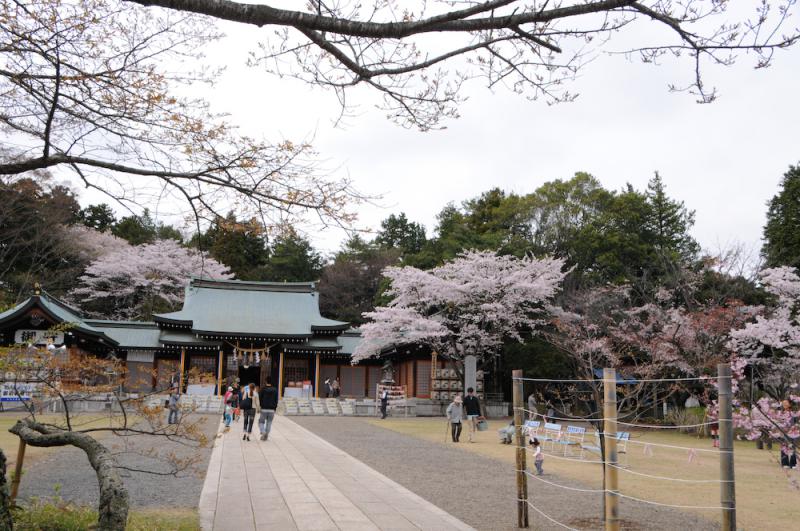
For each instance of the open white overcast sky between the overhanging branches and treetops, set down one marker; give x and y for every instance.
(724, 160)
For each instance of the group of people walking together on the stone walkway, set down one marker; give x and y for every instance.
(249, 401)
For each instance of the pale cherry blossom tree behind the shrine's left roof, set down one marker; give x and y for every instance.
(136, 281)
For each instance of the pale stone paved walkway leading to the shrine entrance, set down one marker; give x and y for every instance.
(297, 481)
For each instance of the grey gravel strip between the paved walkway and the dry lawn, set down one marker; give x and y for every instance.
(477, 489)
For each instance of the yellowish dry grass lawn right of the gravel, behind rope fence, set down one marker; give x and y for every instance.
(767, 497)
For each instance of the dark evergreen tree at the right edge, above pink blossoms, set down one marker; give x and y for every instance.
(782, 231)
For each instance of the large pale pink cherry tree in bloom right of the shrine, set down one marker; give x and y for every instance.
(470, 305)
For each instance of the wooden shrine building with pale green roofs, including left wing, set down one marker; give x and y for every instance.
(227, 331)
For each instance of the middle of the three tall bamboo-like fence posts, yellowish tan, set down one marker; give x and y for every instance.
(610, 431)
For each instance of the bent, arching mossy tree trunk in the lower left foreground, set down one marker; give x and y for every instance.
(113, 506)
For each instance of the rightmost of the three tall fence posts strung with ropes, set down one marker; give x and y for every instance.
(727, 485)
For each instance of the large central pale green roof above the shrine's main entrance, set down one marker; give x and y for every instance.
(277, 309)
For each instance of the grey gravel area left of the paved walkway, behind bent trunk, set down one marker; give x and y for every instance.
(68, 473)
